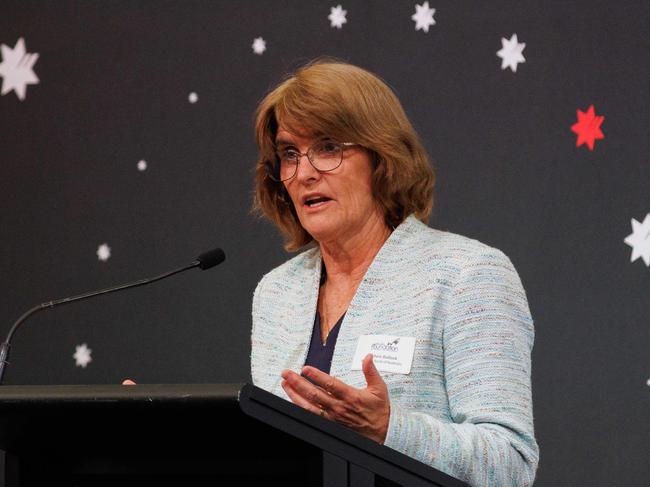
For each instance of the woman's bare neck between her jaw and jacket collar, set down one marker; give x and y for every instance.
(348, 259)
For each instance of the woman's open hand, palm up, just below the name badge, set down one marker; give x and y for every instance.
(364, 410)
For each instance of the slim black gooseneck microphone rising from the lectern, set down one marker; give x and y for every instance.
(204, 261)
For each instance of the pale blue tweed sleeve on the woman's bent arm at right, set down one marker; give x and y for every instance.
(487, 341)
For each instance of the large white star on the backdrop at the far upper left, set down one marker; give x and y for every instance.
(16, 69)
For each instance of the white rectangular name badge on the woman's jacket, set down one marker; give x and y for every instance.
(389, 353)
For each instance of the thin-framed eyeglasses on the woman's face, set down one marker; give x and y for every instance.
(324, 156)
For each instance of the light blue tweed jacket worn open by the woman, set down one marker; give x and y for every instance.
(466, 406)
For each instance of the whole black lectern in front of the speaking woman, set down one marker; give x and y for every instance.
(186, 434)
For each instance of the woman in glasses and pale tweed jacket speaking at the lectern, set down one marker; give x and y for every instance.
(416, 338)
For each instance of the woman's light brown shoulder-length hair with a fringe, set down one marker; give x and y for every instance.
(349, 104)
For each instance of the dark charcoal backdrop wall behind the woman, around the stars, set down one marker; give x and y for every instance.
(115, 78)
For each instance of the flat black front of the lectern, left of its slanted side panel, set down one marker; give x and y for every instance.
(158, 435)
